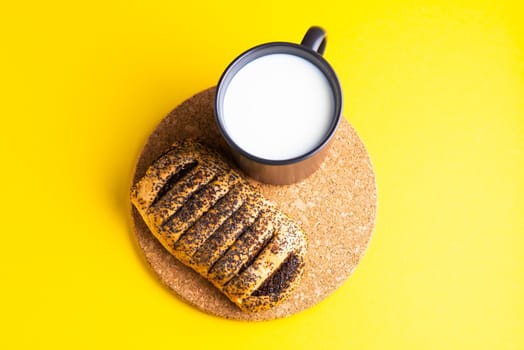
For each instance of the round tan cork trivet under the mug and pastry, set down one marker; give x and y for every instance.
(336, 207)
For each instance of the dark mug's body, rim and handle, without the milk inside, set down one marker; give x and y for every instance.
(283, 171)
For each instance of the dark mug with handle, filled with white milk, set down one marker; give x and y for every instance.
(278, 106)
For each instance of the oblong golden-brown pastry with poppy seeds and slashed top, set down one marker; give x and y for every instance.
(206, 215)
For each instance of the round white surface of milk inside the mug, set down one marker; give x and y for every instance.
(278, 107)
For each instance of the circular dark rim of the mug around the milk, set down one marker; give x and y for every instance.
(306, 53)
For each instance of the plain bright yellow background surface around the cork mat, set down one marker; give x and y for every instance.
(435, 89)
